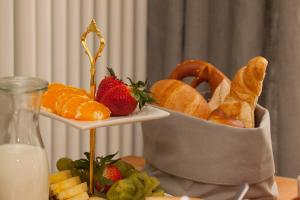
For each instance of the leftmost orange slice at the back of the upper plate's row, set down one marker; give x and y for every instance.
(49, 98)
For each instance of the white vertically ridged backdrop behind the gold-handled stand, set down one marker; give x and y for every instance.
(42, 38)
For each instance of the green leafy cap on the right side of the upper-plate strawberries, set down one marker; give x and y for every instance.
(140, 92)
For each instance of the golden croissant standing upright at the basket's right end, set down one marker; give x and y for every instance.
(245, 89)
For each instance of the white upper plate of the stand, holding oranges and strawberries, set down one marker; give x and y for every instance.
(148, 112)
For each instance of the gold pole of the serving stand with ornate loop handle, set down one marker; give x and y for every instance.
(92, 28)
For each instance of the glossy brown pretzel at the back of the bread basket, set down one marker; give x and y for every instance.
(201, 70)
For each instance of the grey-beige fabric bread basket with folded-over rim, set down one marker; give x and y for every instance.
(198, 158)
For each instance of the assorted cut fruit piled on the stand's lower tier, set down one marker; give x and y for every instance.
(114, 179)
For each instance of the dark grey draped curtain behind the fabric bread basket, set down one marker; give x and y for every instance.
(228, 33)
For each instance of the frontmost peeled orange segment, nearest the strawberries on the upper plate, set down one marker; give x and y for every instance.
(91, 111)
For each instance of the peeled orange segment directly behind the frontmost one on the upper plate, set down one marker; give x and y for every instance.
(71, 105)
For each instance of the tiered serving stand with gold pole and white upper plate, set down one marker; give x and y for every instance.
(147, 113)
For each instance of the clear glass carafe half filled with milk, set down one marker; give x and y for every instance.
(23, 160)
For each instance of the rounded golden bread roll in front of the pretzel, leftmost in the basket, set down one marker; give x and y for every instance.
(179, 96)
